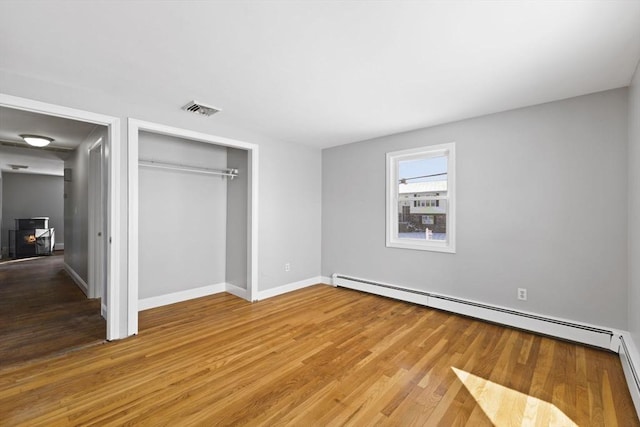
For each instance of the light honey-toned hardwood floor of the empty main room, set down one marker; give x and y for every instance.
(319, 356)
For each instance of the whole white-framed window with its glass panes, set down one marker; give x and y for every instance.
(421, 198)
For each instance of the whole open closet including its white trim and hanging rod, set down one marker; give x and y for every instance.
(193, 216)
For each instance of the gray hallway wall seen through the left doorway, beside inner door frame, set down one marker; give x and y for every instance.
(76, 206)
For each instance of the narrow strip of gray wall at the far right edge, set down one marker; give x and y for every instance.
(634, 208)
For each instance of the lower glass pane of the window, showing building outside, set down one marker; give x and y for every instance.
(423, 223)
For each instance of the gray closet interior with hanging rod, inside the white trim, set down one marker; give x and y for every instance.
(192, 221)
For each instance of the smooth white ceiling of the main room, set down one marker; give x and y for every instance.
(325, 73)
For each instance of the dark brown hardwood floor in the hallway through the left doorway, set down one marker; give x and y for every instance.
(42, 312)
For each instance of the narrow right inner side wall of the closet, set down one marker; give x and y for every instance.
(237, 216)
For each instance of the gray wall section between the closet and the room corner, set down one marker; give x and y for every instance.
(290, 210)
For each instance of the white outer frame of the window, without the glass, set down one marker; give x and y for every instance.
(393, 159)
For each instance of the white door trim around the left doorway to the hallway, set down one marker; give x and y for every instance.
(113, 167)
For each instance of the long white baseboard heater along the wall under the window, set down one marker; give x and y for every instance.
(559, 328)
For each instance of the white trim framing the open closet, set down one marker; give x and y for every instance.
(134, 128)
